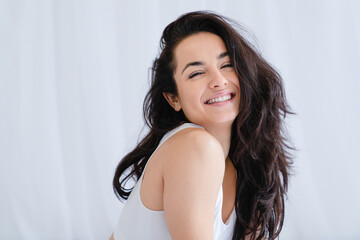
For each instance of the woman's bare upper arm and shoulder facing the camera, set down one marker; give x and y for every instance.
(193, 172)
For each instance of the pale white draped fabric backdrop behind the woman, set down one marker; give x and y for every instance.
(73, 75)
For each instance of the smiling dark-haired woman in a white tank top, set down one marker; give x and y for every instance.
(214, 164)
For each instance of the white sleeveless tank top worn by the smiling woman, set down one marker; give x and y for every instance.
(138, 222)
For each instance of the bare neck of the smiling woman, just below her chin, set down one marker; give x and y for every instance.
(222, 132)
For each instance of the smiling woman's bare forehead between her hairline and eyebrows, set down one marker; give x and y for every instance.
(198, 47)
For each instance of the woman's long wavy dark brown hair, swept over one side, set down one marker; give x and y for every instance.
(259, 146)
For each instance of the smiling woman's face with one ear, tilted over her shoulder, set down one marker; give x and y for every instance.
(207, 84)
